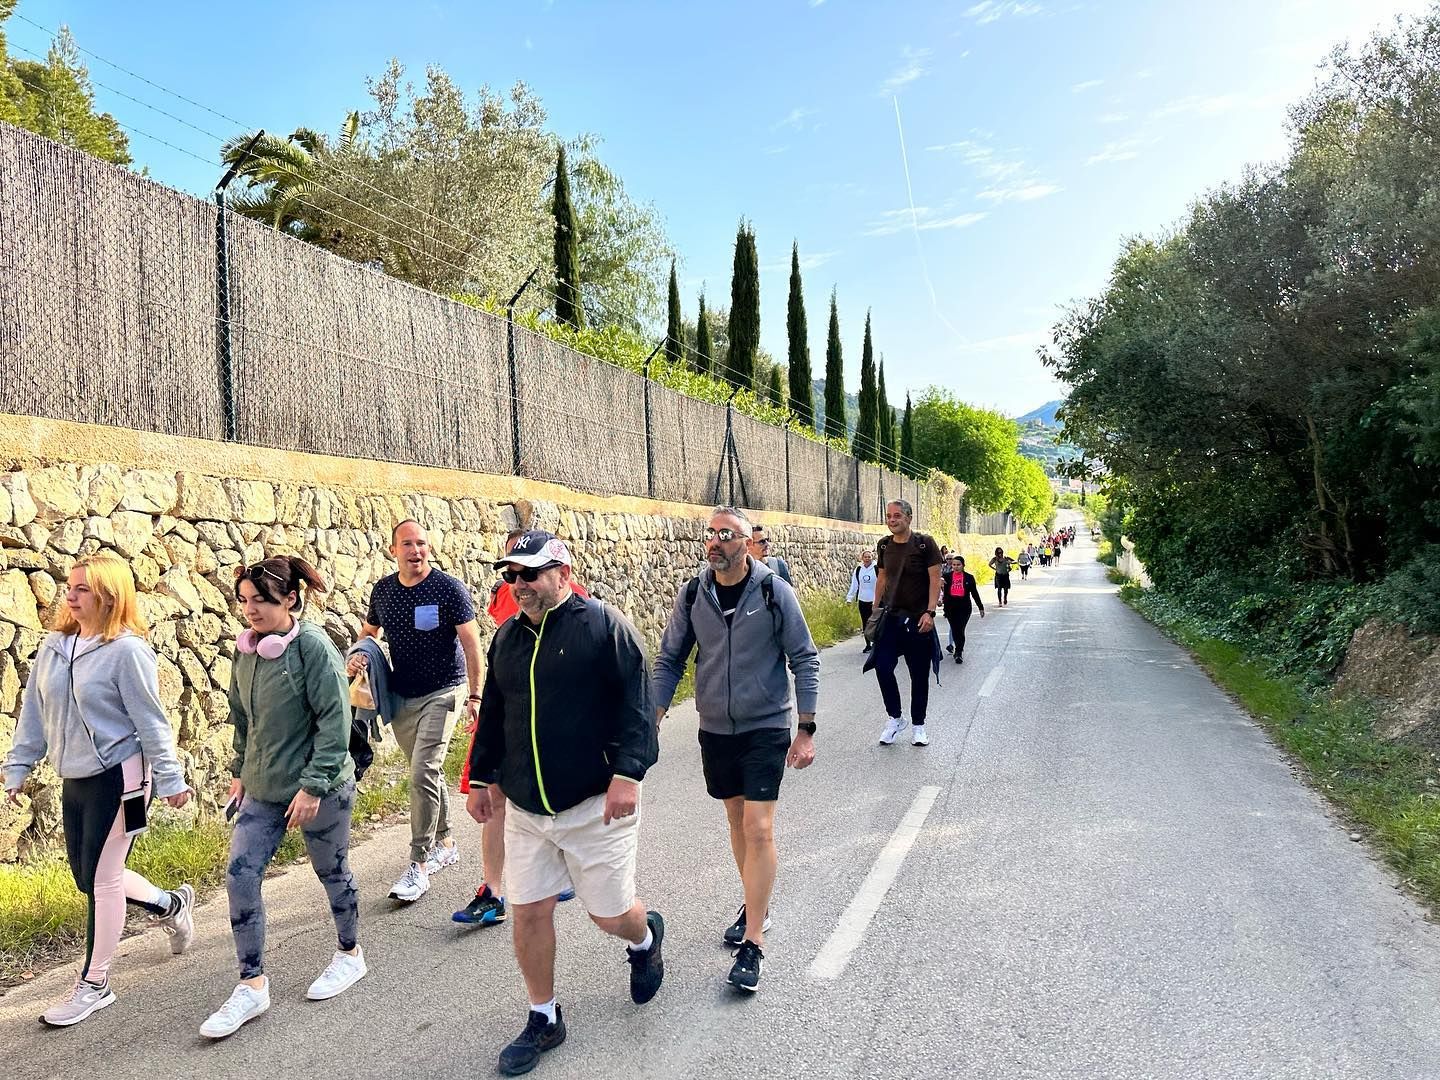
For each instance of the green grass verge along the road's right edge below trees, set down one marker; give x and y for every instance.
(1389, 788)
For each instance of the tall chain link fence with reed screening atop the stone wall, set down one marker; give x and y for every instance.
(125, 303)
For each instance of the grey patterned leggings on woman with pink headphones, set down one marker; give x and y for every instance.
(258, 832)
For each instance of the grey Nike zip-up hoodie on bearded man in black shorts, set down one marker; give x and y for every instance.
(741, 679)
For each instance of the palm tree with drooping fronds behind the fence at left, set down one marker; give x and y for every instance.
(284, 179)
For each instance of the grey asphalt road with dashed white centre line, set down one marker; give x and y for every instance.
(1118, 876)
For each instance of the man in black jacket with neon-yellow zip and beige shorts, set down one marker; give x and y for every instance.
(567, 731)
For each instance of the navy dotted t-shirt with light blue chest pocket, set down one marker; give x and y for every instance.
(420, 623)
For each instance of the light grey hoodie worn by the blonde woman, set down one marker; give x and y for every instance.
(110, 714)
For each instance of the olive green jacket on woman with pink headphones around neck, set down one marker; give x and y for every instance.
(292, 719)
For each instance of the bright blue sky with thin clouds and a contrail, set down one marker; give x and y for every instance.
(1039, 133)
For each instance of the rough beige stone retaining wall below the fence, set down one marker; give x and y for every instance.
(184, 532)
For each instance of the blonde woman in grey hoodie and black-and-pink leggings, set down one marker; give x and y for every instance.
(93, 705)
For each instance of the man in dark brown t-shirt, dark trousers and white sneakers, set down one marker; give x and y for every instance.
(909, 588)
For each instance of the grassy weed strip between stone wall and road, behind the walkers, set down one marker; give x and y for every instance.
(42, 917)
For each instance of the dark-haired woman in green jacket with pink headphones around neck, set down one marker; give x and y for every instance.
(292, 712)
